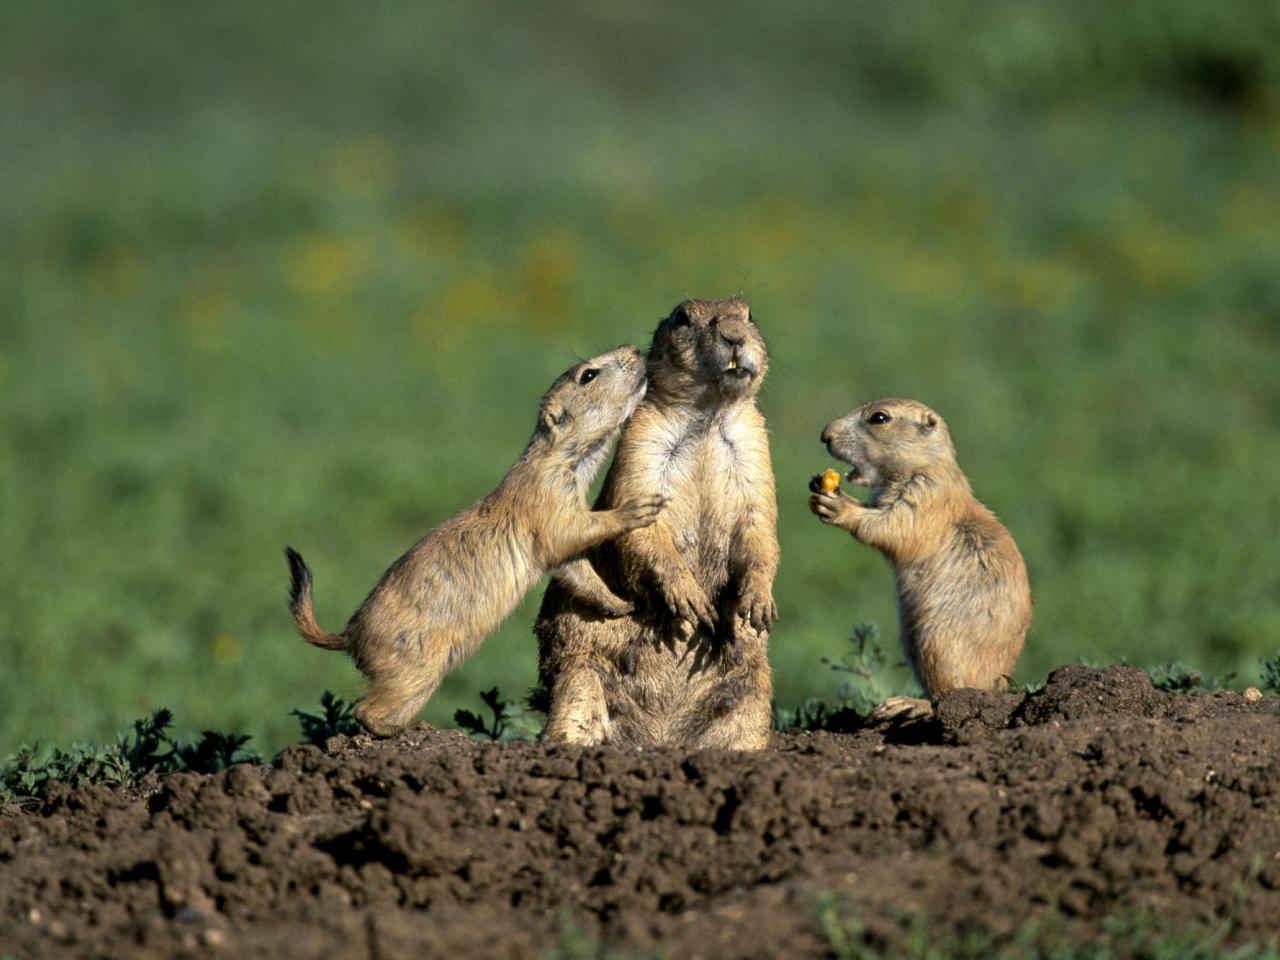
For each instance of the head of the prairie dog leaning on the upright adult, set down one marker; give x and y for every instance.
(588, 405)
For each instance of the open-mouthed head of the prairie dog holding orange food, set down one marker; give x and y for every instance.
(890, 440)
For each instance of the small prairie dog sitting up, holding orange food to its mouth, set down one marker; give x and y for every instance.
(964, 600)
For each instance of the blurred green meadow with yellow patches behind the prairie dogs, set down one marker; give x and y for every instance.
(299, 273)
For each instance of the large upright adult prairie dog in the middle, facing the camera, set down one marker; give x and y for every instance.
(689, 665)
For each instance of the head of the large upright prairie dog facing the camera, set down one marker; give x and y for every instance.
(708, 351)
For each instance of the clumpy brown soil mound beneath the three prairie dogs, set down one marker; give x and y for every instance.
(1091, 796)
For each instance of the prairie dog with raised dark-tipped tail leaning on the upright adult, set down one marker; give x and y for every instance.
(438, 602)
